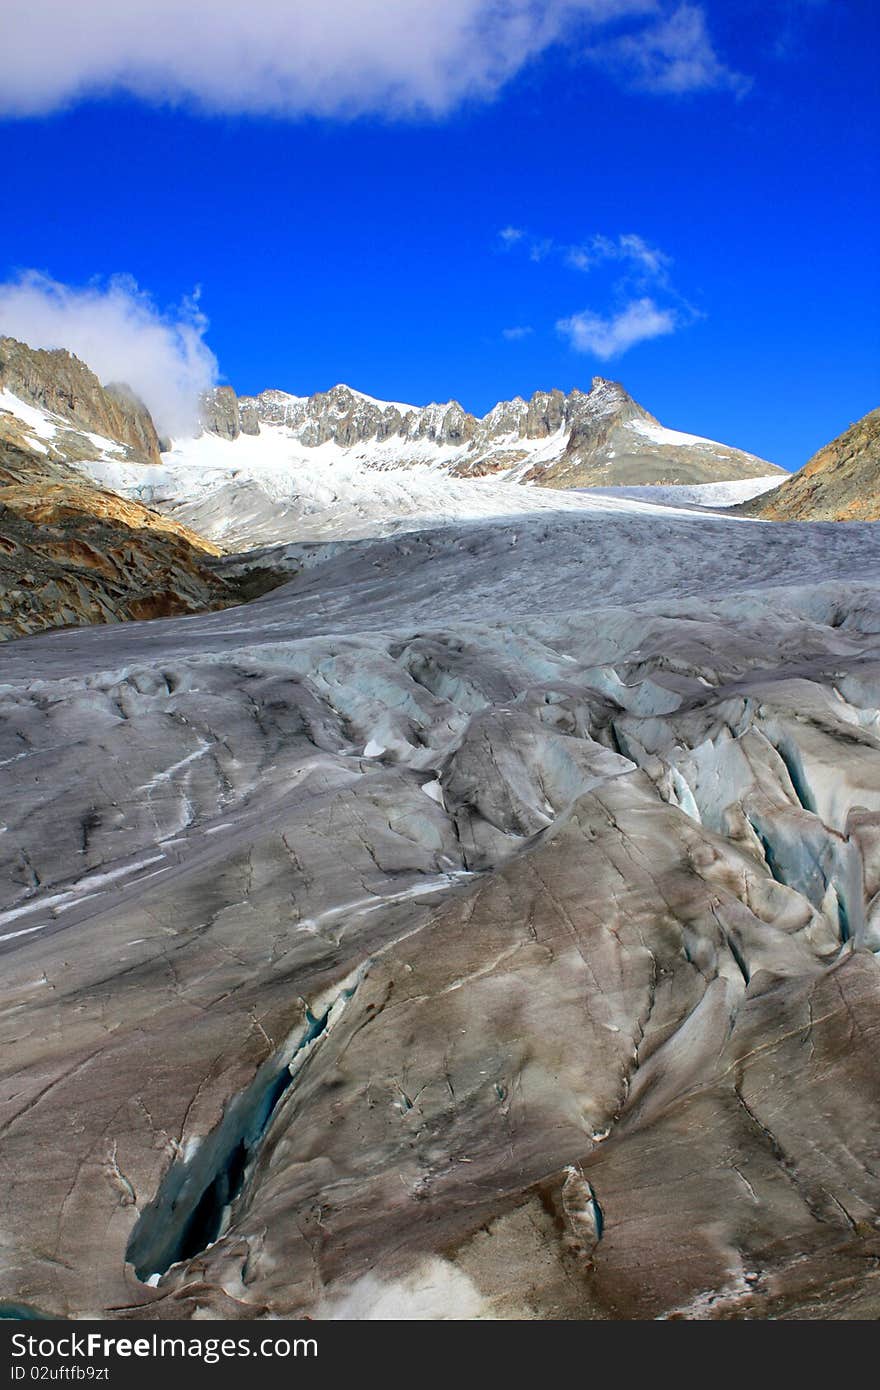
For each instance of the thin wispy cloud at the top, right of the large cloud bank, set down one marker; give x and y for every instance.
(672, 56)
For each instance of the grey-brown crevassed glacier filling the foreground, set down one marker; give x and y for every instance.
(567, 819)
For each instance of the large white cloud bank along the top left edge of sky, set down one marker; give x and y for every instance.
(291, 58)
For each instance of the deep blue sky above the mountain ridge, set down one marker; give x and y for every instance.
(487, 233)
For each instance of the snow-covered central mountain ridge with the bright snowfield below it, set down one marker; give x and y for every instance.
(344, 466)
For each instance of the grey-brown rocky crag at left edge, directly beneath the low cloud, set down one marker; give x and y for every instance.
(63, 386)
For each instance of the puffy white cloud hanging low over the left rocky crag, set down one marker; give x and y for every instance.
(117, 330)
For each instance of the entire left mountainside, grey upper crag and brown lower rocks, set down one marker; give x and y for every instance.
(73, 553)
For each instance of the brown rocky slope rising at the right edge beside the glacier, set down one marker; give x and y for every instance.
(842, 483)
